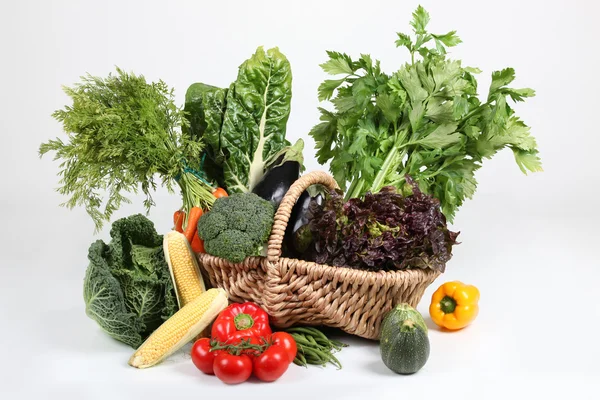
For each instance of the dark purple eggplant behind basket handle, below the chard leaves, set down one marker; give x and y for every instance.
(276, 182)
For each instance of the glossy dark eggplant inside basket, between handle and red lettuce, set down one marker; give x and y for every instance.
(298, 237)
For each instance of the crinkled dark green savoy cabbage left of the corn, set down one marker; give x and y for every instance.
(127, 288)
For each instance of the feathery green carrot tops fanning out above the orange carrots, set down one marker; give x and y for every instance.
(124, 134)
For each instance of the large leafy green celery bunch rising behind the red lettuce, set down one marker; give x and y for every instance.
(425, 120)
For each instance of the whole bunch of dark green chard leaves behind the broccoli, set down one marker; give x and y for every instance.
(245, 125)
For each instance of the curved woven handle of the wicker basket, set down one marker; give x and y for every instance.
(282, 215)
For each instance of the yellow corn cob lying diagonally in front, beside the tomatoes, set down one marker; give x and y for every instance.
(180, 329)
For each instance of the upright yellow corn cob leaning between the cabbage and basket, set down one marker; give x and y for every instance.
(183, 265)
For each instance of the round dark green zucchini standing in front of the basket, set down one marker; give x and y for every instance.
(404, 344)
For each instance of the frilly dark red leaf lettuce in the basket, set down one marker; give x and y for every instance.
(383, 231)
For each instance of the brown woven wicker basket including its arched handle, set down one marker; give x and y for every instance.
(296, 292)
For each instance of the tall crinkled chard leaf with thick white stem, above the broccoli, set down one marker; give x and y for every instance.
(254, 126)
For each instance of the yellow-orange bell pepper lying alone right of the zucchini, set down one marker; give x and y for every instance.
(454, 305)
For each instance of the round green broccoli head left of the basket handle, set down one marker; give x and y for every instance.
(237, 226)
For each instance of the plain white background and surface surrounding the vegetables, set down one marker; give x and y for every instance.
(529, 243)
